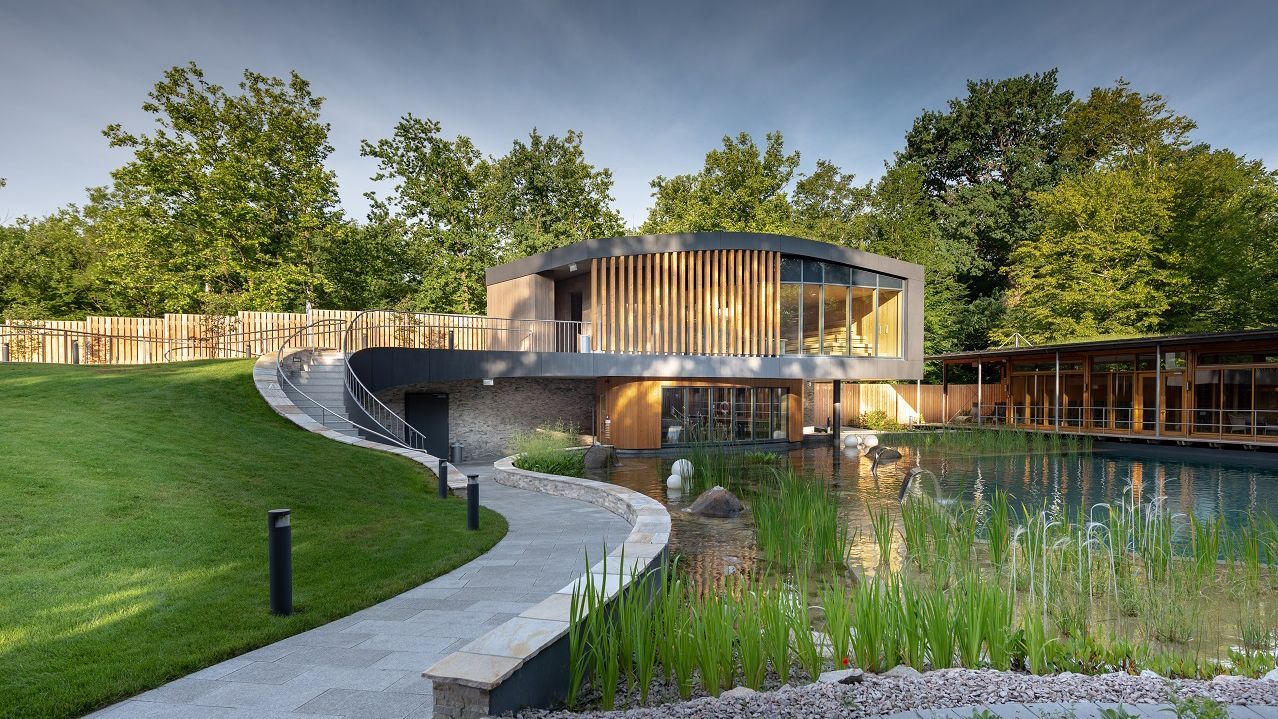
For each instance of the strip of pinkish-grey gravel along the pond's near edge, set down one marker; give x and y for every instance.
(880, 695)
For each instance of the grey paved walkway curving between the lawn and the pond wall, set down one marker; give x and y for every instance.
(370, 665)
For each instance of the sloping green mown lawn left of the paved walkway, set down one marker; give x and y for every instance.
(134, 528)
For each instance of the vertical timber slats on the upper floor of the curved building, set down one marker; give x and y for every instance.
(700, 303)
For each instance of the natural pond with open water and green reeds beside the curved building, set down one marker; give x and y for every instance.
(1008, 551)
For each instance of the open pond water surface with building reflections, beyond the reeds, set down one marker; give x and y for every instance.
(1065, 485)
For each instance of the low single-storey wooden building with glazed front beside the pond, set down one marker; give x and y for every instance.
(1217, 389)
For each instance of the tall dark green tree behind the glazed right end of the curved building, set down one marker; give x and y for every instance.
(983, 159)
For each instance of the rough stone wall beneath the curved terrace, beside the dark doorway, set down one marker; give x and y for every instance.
(486, 420)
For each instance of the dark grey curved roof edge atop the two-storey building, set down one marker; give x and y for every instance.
(587, 251)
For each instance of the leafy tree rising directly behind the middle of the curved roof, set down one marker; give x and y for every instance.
(739, 190)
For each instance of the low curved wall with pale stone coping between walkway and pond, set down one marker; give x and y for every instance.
(525, 662)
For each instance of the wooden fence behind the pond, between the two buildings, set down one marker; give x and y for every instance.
(904, 403)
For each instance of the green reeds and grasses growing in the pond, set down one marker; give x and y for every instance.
(1123, 586)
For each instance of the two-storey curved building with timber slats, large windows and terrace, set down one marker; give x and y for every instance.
(652, 342)
